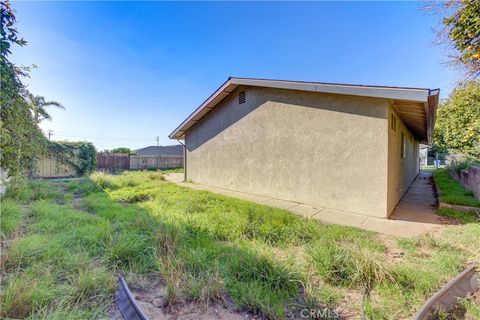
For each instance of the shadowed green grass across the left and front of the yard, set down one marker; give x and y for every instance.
(64, 264)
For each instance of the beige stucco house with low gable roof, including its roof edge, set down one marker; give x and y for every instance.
(350, 148)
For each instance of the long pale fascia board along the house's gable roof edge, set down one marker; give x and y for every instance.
(396, 93)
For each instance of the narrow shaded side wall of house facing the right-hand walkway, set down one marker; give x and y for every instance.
(401, 171)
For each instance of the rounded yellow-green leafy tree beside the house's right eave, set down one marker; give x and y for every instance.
(458, 121)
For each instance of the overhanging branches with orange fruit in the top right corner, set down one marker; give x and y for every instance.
(461, 31)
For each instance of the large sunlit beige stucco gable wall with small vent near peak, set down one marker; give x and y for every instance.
(323, 149)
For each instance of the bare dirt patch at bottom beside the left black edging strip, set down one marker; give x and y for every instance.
(151, 299)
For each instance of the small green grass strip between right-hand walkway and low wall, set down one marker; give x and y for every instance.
(453, 192)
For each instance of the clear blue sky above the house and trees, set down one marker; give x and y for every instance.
(130, 71)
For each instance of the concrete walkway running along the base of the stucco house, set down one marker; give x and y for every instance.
(412, 217)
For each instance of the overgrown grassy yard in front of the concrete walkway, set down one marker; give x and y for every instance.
(64, 242)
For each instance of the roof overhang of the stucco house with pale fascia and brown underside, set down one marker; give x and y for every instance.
(407, 96)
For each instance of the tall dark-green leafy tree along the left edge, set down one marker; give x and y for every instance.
(21, 139)
